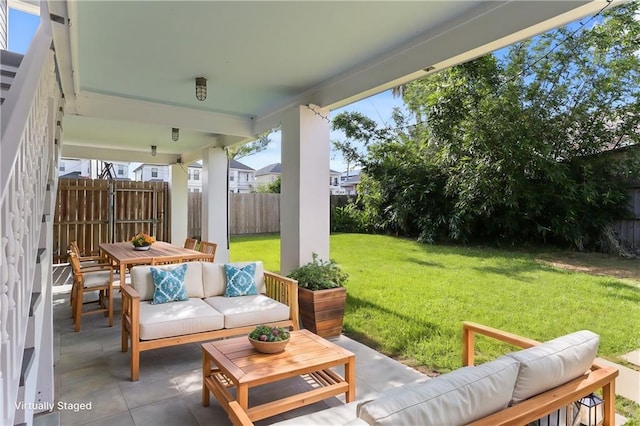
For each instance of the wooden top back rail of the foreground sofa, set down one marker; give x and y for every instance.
(552, 400)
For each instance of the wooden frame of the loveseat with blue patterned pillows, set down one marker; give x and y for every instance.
(278, 287)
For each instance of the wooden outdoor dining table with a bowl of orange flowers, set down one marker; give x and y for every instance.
(126, 256)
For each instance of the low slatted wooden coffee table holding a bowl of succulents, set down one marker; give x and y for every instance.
(234, 363)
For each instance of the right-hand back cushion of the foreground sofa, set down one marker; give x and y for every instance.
(553, 363)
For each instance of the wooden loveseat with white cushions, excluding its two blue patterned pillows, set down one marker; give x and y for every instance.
(210, 312)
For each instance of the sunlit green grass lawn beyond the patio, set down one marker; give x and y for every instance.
(408, 300)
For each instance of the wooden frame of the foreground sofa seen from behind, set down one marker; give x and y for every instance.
(599, 377)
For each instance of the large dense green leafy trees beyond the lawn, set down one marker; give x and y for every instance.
(509, 148)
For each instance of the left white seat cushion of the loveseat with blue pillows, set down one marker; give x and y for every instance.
(178, 318)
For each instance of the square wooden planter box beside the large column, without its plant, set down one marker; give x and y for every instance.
(322, 311)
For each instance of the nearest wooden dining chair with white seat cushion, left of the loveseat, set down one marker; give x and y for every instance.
(91, 279)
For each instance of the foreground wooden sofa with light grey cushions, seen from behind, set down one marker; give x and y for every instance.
(515, 389)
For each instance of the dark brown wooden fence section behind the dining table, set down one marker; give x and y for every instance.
(96, 211)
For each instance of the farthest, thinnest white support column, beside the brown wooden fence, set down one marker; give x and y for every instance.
(178, 188)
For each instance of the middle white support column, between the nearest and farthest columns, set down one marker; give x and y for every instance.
(215, 201)
